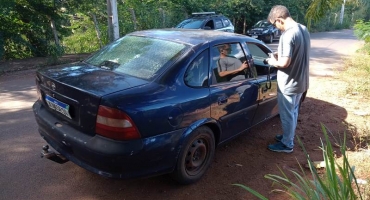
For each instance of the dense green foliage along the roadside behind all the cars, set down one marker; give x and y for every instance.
(30, 28)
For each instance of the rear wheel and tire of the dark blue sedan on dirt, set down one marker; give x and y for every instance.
(195, 157)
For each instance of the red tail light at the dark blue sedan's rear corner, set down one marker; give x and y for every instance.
(115, 124)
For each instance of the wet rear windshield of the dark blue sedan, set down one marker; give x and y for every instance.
(137, 56)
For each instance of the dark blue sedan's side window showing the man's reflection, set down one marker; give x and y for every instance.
(234, 59)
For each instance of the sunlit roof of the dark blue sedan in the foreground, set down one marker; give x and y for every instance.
(191, 36)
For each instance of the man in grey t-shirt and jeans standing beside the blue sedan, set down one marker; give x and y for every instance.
(292, 62)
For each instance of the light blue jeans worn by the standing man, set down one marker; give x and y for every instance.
(288, 110)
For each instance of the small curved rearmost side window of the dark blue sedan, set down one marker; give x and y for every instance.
(197, 73)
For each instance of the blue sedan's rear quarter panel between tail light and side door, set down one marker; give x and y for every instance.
(166, 104)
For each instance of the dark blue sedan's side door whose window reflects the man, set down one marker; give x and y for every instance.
(233, 101)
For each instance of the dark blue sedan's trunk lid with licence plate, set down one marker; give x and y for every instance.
(73, 92)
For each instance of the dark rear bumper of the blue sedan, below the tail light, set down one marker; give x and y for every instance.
(110, 158)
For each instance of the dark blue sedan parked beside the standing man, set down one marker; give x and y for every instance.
(153, 103)
